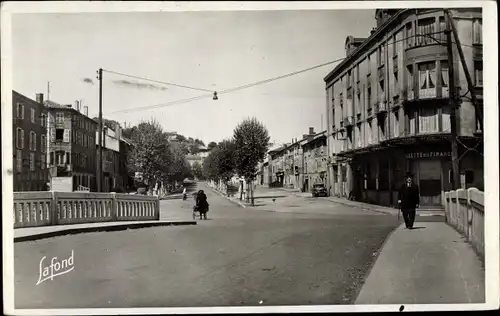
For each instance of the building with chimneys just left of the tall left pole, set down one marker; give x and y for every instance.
(71, 146)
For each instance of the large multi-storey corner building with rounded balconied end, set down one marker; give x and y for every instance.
(388, 107)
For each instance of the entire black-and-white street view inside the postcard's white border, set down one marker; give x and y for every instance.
(244, 160)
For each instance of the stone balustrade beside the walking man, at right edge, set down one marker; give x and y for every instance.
(464, 211)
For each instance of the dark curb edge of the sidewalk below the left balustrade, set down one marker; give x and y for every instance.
(92, 229)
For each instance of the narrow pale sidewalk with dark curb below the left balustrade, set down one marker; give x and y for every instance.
(34, 233)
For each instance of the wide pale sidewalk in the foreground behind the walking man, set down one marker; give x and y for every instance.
(431, 264)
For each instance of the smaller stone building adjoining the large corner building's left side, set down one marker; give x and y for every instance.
(314, 161)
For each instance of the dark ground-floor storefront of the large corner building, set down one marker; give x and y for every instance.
(378, 174)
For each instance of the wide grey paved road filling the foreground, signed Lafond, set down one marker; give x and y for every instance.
(237, 257)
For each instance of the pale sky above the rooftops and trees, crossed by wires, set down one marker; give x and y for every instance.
(209, 50)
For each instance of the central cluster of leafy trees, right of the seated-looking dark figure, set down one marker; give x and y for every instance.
(239, 155)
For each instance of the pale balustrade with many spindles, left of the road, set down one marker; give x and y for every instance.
(65, 208)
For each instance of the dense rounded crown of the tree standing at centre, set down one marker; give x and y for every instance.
(251, 140)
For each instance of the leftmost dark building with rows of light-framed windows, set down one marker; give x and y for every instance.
(29, 143)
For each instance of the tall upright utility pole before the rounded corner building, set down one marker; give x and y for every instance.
(452, 99)
